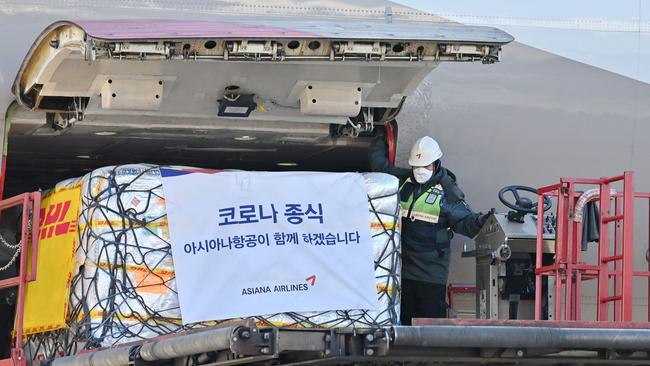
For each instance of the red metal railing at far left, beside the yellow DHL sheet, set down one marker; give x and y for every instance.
(31, 203)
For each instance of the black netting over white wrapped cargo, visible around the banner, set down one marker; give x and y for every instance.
(123, 288)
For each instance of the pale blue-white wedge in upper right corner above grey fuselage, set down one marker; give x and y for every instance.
(598, 32)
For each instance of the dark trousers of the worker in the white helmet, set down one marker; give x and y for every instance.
(422, 300)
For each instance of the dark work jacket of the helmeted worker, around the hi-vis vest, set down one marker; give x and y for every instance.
(425, 245)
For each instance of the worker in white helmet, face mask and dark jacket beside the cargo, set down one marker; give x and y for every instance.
(433, 208)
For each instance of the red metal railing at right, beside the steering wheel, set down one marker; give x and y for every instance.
(614, 261)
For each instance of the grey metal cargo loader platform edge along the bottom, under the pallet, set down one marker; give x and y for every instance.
(434, 341)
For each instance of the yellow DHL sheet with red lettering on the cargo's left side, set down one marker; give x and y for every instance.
(46, 299)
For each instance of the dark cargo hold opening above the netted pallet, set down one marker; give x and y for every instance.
(39, 154)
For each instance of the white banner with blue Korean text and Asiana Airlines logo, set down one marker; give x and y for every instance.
(257, 243)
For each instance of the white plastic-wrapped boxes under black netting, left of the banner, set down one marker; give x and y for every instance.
(127, 288)
